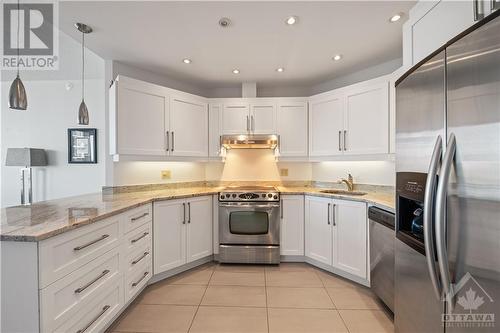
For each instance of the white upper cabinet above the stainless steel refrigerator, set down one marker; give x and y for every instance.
(420, 35)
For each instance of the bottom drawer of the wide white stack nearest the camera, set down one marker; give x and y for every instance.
(97, 314)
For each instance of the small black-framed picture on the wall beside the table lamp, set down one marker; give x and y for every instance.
(82, 145)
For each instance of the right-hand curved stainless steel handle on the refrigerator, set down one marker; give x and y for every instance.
(440, 217)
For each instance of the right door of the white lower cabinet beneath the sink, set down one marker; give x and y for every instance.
(349, 237)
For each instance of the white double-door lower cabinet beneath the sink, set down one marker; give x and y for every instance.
(336, 234)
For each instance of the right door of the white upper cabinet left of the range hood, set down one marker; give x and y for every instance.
(189, 127)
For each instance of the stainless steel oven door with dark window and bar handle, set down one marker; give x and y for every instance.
(249, 223)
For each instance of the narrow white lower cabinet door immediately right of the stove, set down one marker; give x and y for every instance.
(292, 225)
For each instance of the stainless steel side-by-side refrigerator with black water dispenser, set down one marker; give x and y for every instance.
(447, 266)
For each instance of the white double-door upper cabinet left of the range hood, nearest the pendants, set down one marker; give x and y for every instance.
(147, 119)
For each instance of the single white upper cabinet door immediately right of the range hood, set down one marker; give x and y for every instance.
(292, 128)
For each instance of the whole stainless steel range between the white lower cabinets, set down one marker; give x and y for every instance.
(249, 225)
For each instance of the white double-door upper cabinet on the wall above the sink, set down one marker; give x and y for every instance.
(353, 120)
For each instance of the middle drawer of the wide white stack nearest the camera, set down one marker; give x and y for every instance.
(60, 299)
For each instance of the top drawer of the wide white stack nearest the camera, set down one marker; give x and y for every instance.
(63, 254)
